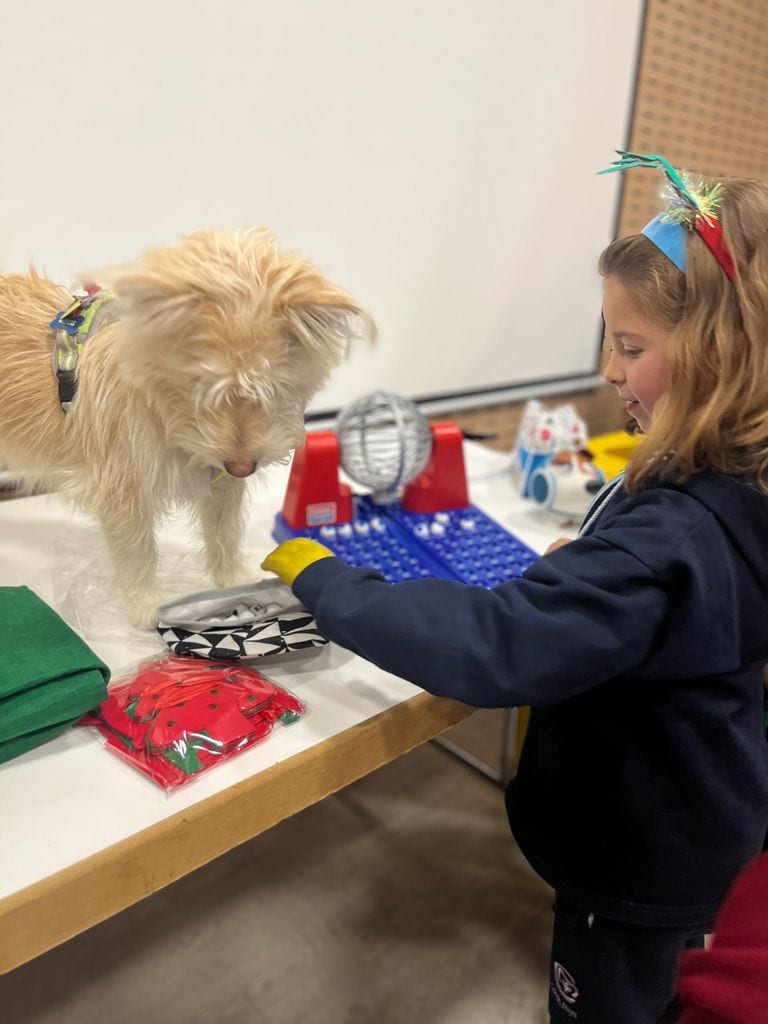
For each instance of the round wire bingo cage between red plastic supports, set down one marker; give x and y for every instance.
(385, 444)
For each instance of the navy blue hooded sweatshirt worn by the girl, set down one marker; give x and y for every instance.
(644, 784)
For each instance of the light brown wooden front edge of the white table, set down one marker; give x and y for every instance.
(47, 914)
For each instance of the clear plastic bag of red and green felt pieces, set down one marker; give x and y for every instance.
(175, 718)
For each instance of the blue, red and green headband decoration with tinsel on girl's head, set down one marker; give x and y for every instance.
(690, 207)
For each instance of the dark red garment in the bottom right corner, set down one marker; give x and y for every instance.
(730, 982)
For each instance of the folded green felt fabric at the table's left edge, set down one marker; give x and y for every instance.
(49, 676)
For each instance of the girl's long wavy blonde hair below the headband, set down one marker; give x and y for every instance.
(715, 414)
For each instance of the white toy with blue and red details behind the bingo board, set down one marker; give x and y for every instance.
(552, 463)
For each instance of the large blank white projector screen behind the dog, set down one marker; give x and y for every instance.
(436, 158)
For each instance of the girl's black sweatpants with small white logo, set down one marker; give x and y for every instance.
(604, 972)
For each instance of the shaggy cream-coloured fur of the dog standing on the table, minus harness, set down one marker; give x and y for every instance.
(204, 363)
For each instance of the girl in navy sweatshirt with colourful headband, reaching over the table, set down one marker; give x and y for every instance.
(643, 789)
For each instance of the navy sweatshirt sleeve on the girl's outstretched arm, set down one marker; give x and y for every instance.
(590, 612)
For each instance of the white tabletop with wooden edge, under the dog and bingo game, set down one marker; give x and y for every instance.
(87, 835)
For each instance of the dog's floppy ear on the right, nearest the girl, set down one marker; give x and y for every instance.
(327, 330)
